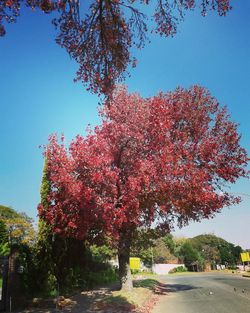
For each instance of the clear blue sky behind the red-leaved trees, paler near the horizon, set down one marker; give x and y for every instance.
(38, 97)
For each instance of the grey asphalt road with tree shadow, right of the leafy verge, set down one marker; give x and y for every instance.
(204, 293)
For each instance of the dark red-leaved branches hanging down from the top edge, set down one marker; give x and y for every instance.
(99, 35)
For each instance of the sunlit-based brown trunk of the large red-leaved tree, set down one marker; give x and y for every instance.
(126, 283)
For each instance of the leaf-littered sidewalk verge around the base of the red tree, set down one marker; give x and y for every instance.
(106, 299)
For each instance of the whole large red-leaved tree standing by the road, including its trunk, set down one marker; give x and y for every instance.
(150, 162)
